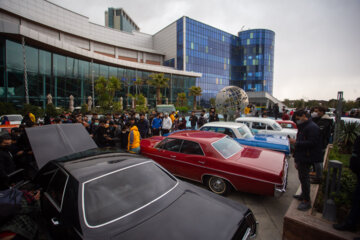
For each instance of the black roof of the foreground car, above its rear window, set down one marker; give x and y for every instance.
(91, 167)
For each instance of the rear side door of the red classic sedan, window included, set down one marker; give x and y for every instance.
(191, 161)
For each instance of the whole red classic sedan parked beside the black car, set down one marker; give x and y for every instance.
(219, 162)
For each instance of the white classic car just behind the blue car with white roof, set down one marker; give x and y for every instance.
(266, 126)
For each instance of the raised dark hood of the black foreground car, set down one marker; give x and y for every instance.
(50, 142)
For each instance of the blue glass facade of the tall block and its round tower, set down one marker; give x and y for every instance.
(225, 59)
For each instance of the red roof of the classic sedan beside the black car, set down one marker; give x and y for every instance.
(199, 136)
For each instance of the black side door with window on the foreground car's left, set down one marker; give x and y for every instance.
(52, 202)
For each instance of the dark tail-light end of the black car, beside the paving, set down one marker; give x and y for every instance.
(247, 228)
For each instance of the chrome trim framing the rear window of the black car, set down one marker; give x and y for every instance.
(138, 209)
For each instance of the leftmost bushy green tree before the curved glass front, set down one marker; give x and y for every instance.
(106, 89)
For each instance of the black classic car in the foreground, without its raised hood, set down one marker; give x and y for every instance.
(108, 195)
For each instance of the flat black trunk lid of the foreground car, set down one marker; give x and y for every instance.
(194, 214)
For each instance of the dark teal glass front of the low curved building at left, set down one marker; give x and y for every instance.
(62, 76)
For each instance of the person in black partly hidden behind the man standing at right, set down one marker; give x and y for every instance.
(325, 124)
